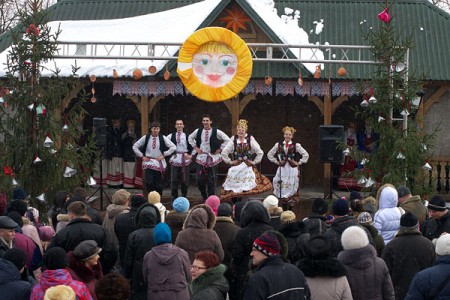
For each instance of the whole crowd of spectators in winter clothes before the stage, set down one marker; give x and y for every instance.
(392, 246)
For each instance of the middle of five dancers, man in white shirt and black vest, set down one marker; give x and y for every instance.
(207, 142)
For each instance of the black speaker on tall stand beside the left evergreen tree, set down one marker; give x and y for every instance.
(101, 142)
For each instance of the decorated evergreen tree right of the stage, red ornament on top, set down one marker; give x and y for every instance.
(400, 151)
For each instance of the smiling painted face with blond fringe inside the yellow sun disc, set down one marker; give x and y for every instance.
(215, 64)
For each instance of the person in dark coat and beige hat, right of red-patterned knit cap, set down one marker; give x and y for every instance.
(295, 234)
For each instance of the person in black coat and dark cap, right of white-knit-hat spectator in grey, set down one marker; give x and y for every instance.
(408, 253)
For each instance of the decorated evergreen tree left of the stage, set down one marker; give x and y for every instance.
(40, 137)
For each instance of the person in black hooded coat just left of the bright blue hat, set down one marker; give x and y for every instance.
(139, 243)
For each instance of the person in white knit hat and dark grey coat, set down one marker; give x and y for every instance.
(367, 274)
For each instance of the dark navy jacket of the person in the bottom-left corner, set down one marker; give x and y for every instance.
(12, 287)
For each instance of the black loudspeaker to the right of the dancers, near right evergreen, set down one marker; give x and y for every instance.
(329, 138)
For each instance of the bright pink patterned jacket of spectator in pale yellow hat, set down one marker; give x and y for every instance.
(50, 278)
